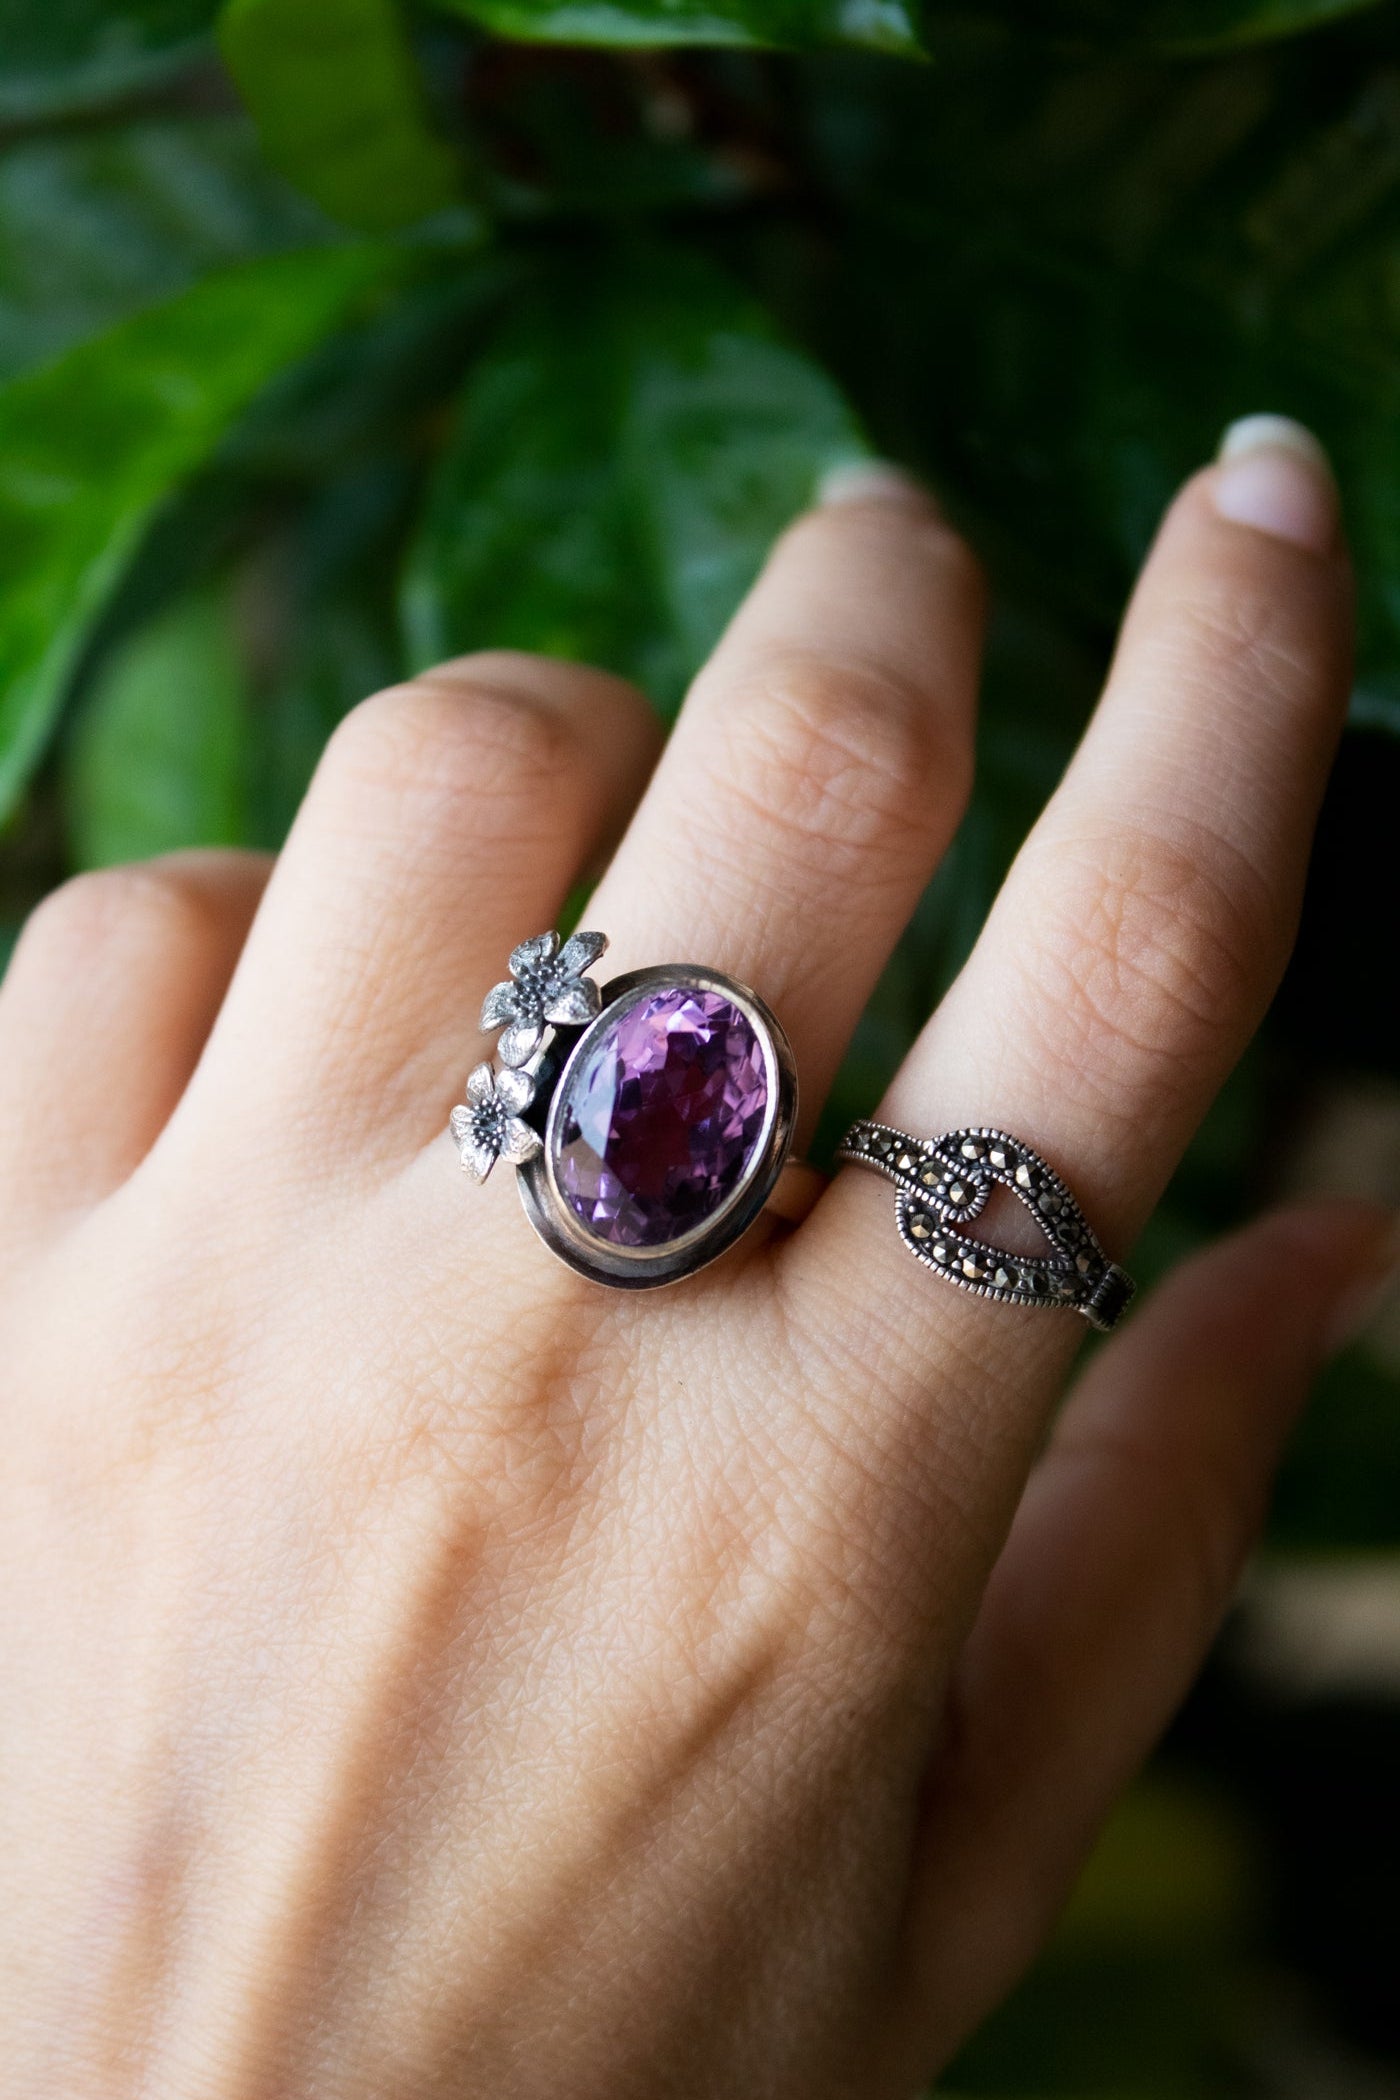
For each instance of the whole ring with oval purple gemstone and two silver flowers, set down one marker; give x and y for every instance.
(650, 1118)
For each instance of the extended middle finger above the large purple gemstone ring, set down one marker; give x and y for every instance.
(818, 770)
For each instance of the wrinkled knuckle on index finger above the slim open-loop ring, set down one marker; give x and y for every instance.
(1149, 948)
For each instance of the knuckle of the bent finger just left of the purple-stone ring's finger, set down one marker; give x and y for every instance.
(469, 740)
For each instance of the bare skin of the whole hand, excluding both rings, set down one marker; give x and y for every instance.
(427, 1673)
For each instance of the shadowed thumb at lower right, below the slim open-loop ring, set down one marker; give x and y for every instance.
(1124, 1557)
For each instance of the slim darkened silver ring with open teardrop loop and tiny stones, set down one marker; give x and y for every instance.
(943, 1185)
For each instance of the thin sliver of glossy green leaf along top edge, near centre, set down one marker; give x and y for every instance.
(778, 24)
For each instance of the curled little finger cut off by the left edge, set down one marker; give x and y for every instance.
(104, 1013)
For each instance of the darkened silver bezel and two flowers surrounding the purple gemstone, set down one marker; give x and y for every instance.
(536, 1005)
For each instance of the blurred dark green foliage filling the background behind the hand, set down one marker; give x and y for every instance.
(337, 335)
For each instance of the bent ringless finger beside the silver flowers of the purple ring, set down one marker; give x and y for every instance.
(448, 820)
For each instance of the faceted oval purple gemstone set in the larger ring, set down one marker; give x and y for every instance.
(662, 1118)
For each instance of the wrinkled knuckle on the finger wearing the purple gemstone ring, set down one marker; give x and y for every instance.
(841, 755)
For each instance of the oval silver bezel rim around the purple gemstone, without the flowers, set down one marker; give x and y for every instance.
(549, 1209)
